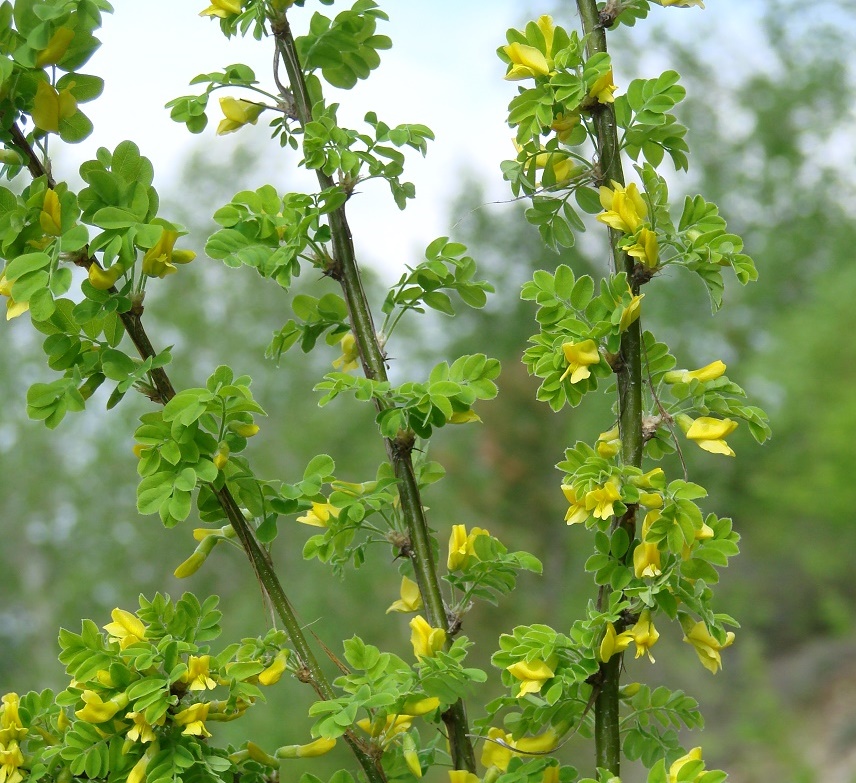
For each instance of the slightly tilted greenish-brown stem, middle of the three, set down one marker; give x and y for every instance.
(346, 271)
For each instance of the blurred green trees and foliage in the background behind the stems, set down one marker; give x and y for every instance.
(772, 144)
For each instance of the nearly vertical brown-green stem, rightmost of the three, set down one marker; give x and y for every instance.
(628, 370)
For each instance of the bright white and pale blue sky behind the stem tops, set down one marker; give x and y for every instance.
(442, 72)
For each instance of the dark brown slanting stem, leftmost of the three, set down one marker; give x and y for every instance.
(259, 559)
